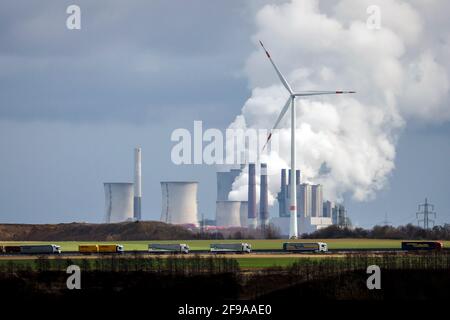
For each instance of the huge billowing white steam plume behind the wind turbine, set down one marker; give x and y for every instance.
(346, 143)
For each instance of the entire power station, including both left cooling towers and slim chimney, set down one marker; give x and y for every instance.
(179, 202)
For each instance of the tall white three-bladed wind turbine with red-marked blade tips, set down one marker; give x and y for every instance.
(293, 233)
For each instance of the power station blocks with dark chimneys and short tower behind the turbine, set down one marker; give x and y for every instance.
(313, 212)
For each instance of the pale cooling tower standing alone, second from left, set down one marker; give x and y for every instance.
(179, 202)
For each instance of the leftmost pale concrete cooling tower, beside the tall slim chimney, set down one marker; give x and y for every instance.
(118, 202)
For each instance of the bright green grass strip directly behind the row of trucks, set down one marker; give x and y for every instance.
(256, 244)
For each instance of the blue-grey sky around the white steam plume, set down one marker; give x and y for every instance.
(74, 104)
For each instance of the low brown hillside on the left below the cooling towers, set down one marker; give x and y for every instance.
(143, 230)
